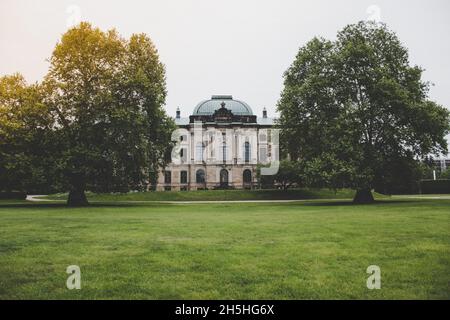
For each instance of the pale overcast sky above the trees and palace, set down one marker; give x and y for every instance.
(237, 47)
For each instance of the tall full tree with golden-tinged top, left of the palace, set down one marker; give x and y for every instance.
(105, 94)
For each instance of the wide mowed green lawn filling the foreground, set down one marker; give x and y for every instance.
(302, 250)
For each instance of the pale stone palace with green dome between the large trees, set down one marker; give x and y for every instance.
(219, 146)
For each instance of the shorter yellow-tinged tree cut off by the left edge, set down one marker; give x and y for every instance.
(25, 165)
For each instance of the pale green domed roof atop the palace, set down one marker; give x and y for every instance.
(208, 107)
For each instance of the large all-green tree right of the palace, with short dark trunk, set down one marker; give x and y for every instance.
(353, 108)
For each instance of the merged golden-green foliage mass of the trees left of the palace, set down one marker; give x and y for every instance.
(97, 120)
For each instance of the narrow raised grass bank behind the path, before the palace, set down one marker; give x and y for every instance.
(218, 195)
